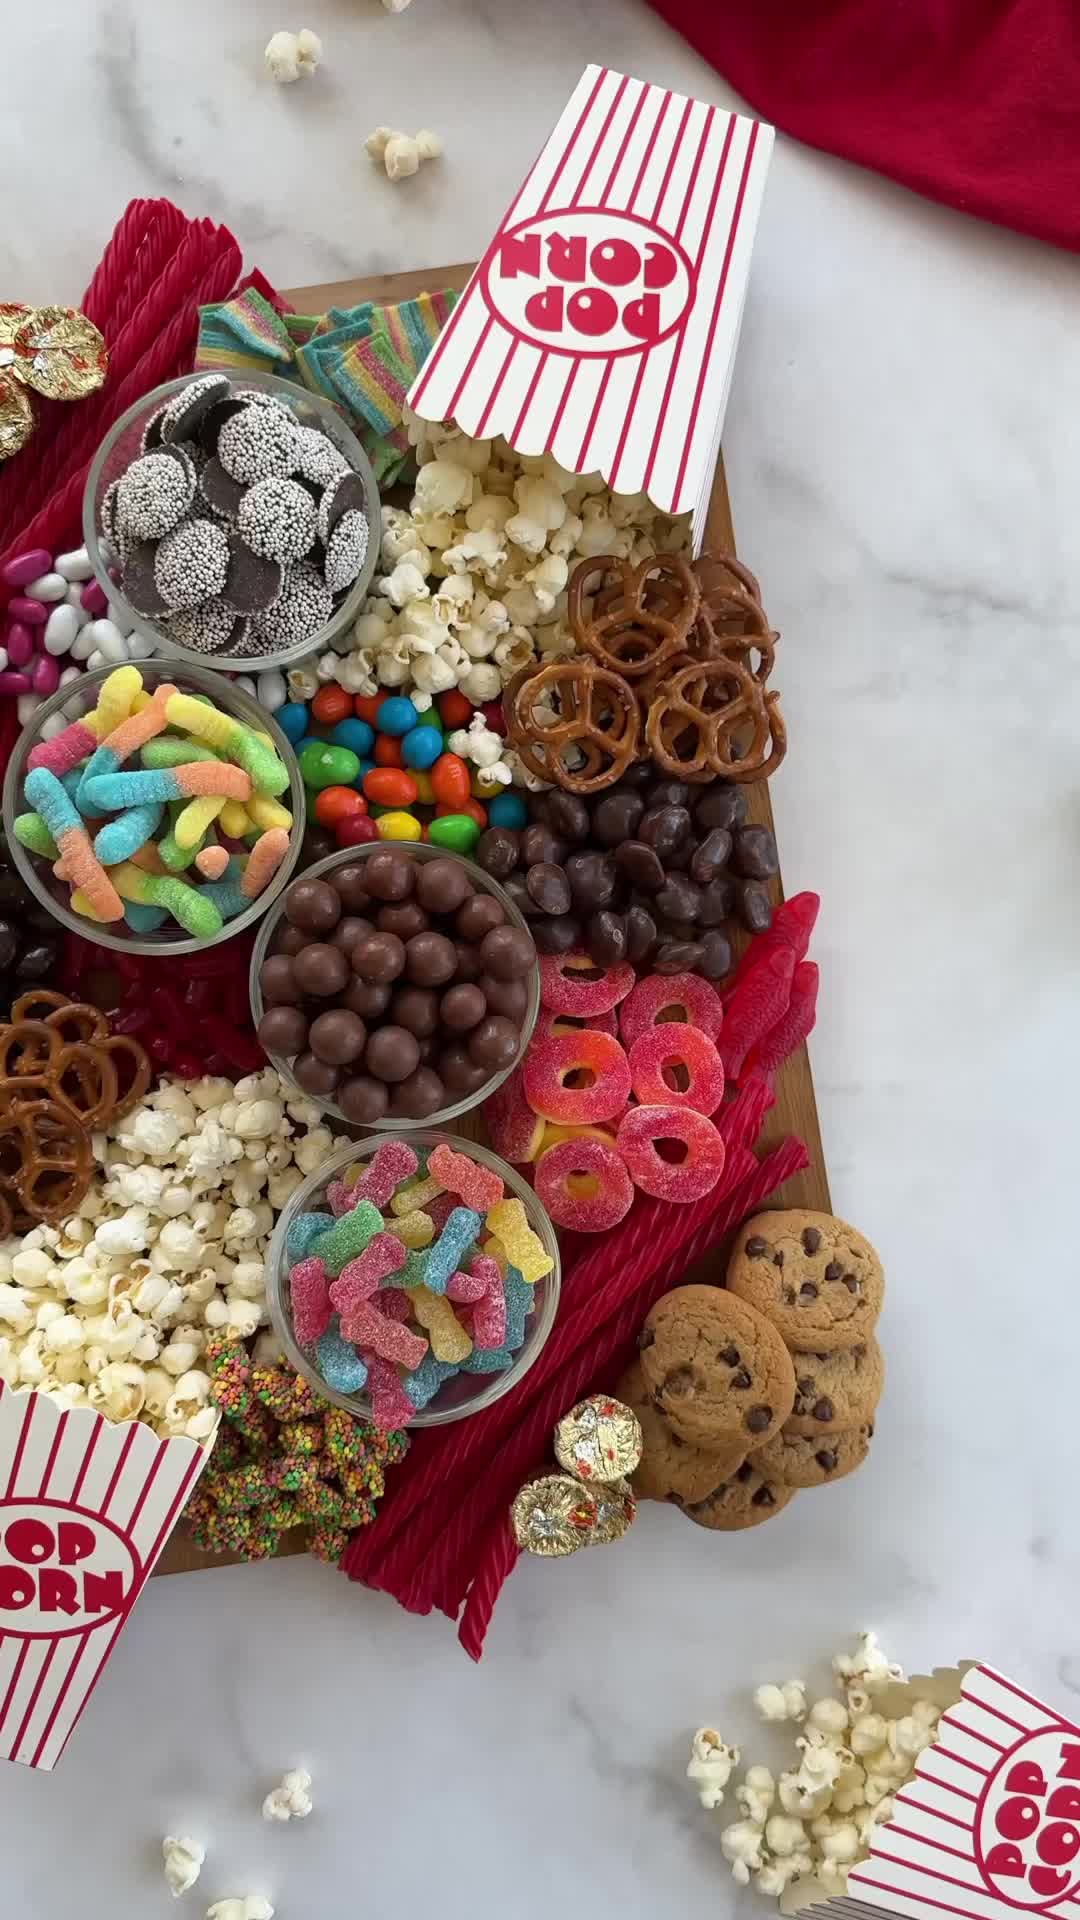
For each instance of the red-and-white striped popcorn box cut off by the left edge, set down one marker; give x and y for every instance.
(86, 1510)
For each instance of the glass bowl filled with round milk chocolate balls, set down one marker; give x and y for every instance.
(397, 986)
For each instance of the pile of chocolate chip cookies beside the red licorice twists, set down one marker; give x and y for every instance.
(750, 1393)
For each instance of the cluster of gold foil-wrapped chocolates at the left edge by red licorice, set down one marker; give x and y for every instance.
(55, 352)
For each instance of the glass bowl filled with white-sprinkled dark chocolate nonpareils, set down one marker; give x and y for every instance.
(233, 521)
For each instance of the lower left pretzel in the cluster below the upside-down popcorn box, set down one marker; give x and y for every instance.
(597, 734)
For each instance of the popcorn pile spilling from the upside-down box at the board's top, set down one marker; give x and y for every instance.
(474, 577)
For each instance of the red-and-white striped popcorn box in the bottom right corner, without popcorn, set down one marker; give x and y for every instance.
(991, 1825)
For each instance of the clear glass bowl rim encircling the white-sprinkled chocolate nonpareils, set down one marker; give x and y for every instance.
(124, 444)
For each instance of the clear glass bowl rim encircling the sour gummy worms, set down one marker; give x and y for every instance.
(80, 698)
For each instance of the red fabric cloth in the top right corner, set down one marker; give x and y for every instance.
(973, 103)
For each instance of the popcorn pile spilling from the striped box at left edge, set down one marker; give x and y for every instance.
(114, 1308)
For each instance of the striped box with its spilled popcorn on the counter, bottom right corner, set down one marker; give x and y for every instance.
(950, 1792)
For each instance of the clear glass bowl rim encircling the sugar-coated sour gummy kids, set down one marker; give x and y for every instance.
(464, 1393)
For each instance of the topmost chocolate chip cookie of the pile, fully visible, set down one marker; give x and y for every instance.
(814, 1276)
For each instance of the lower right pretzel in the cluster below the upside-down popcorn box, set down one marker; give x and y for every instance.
(714, 721)
